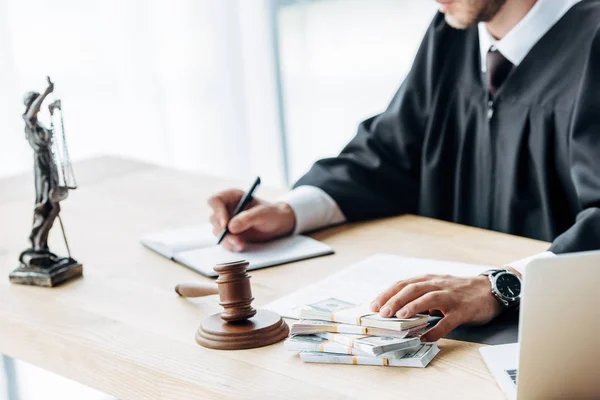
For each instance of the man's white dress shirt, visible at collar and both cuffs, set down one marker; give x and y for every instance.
(315, 209)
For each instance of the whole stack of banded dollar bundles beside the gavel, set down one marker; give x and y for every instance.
(333, 331)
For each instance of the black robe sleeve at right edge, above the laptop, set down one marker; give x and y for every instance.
(584, 153)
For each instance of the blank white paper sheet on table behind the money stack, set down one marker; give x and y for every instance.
(363, 281)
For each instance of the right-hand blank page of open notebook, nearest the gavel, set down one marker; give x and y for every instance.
(259, 255)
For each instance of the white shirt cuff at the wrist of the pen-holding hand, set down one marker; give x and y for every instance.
(314, 208)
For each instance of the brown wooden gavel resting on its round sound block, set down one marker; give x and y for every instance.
(239, 326)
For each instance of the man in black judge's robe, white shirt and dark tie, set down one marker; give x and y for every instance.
(496, 126)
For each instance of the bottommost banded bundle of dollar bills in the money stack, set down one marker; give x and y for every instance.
(418, 357)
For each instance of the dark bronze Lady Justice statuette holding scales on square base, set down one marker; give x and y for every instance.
(53, 179)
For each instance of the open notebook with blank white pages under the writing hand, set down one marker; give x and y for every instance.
(195, 247)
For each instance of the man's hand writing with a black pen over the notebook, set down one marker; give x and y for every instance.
(261, 221)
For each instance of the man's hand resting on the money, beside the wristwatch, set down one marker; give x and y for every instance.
(459, 300)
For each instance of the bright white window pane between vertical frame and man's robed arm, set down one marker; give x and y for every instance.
(341, 62)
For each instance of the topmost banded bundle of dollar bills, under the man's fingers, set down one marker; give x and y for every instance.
(335, 310)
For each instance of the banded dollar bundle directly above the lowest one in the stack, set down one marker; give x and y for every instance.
(372, 345)
